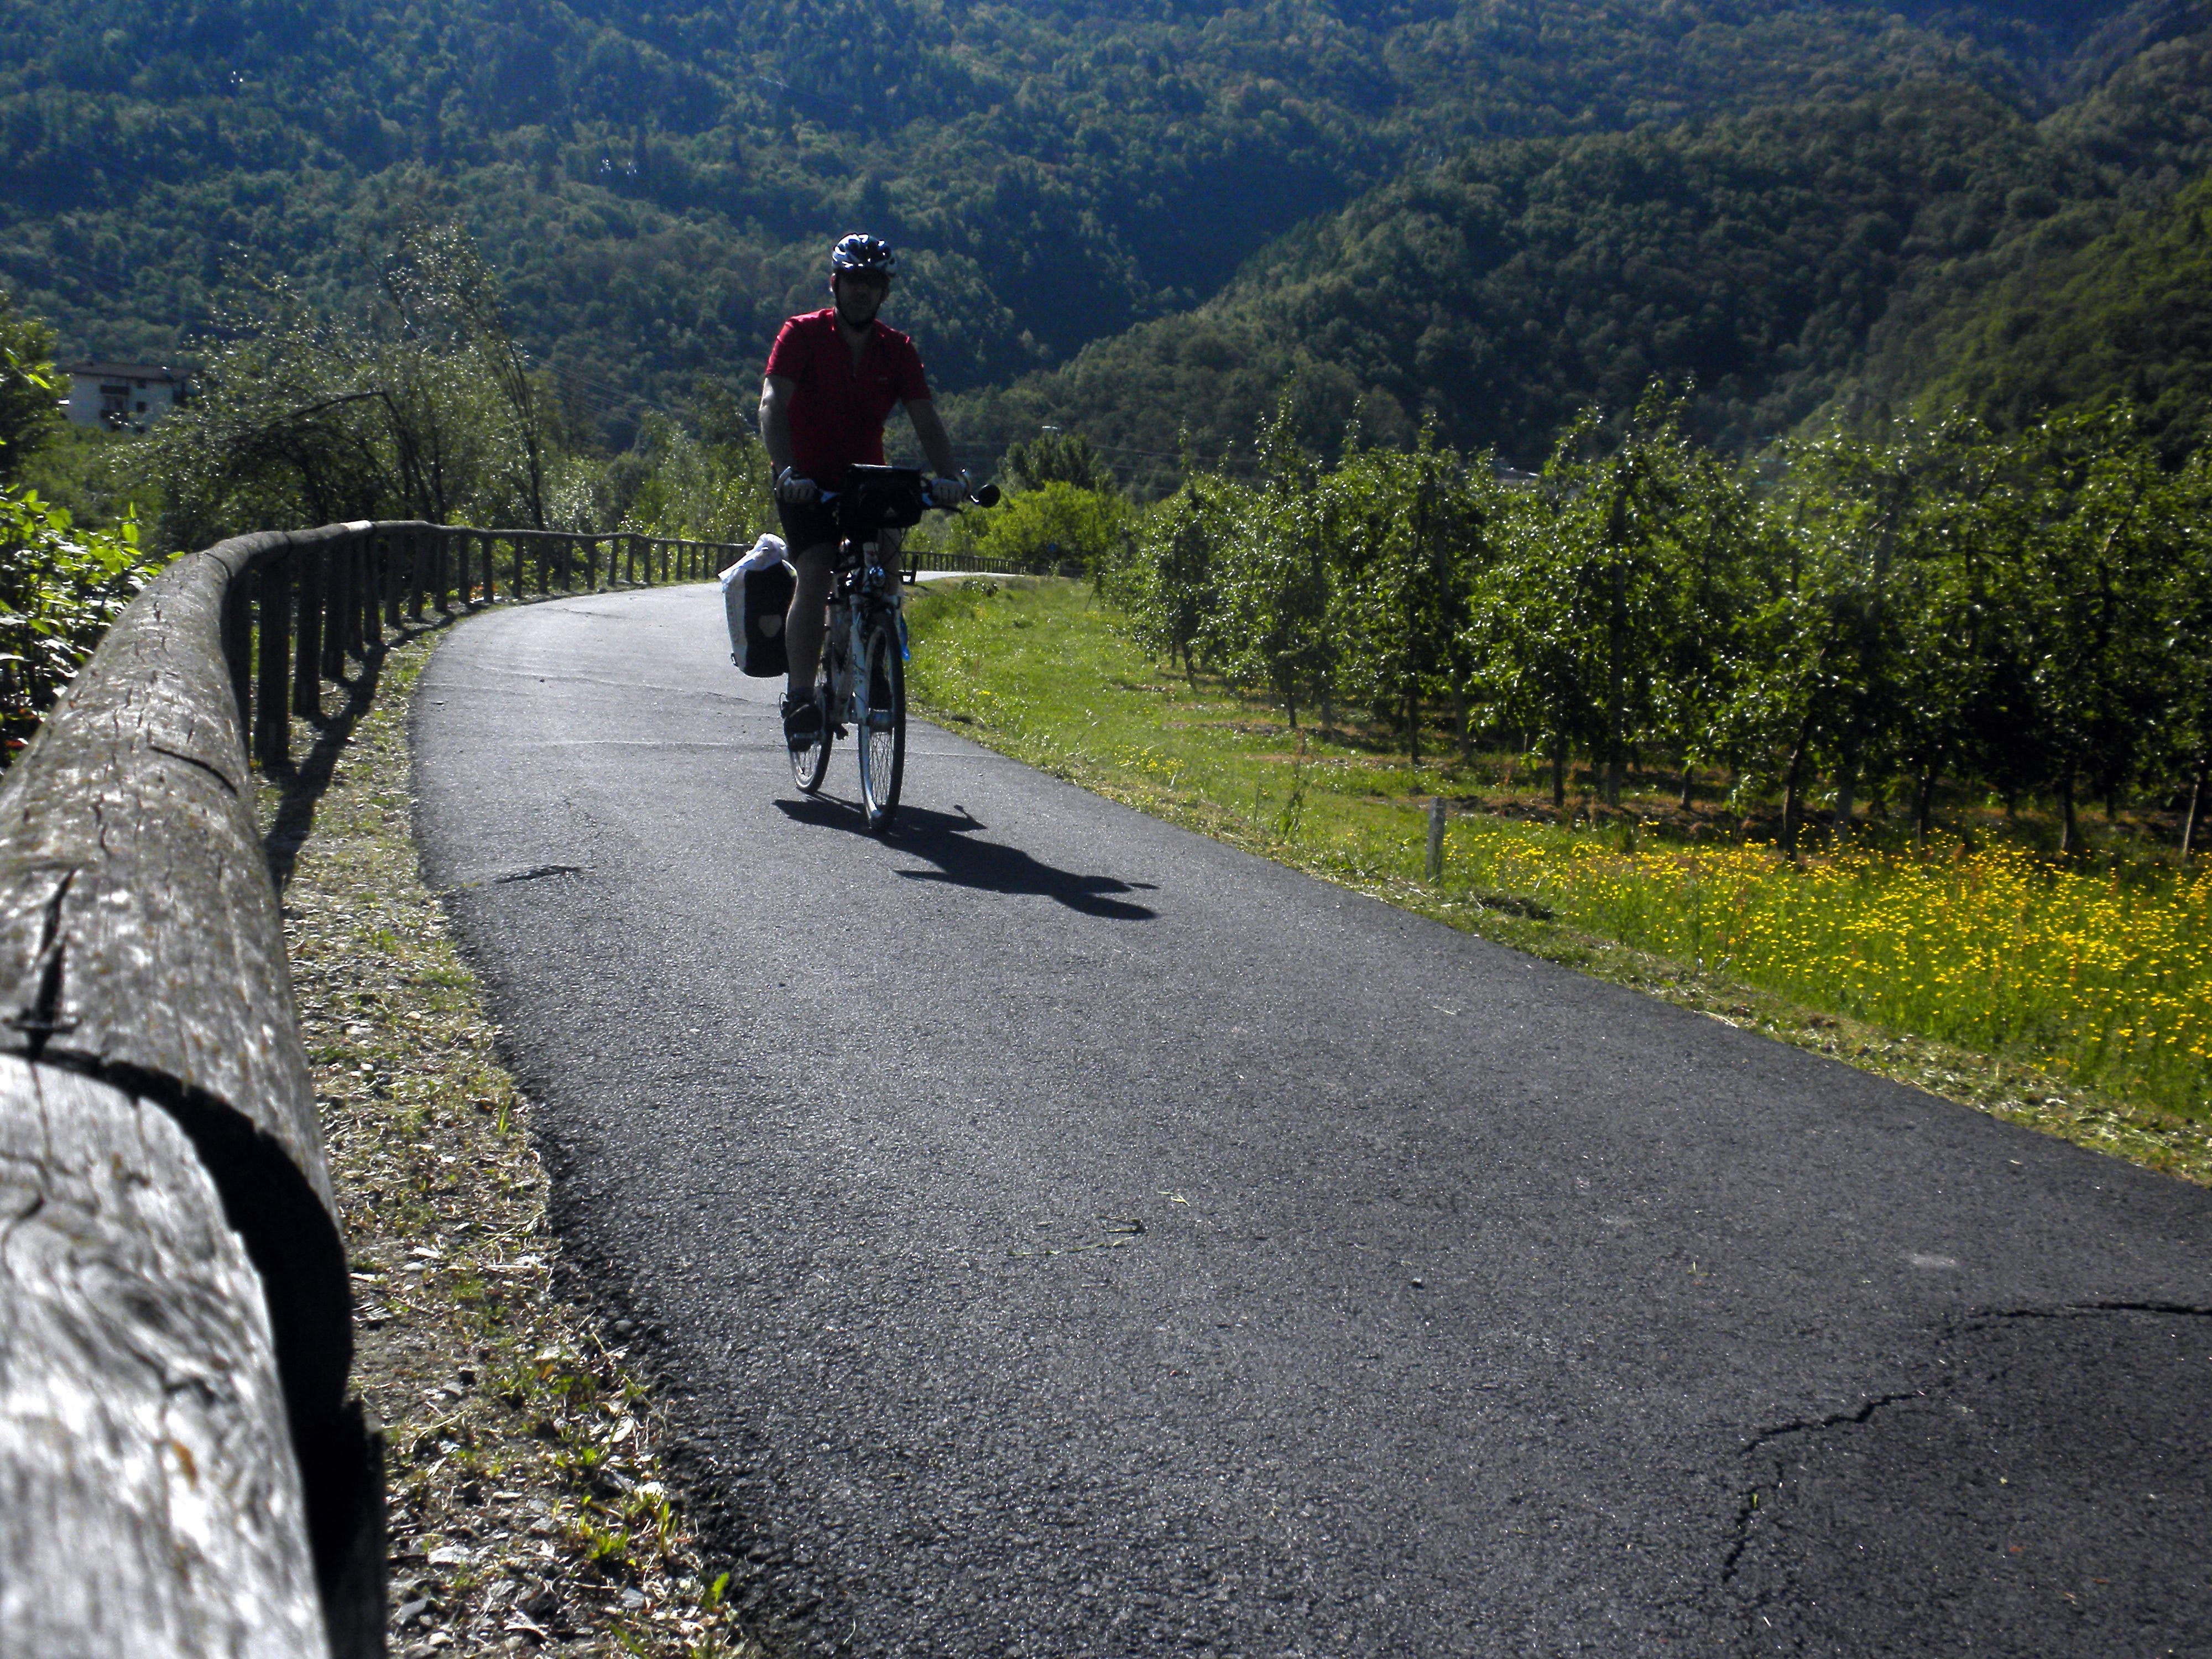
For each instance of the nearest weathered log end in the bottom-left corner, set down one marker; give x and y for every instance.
(149, 1494)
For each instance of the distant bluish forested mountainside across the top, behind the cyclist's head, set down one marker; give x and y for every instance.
(656, 187)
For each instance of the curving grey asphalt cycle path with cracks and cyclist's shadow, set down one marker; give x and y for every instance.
(1076, 1238)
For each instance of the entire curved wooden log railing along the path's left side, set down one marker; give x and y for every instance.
(182, 1470)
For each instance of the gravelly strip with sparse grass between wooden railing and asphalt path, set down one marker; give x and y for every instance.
(530, 1503)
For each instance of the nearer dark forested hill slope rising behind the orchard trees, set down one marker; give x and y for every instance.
(1923, 242)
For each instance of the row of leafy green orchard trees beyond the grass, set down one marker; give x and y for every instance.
(1870, 618)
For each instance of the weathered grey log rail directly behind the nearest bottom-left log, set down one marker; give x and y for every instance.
(143, 948)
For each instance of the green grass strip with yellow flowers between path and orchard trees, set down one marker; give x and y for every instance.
(2069, 999)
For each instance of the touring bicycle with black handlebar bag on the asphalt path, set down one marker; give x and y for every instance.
(864, 674)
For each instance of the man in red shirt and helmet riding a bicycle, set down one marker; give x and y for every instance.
(833, 382)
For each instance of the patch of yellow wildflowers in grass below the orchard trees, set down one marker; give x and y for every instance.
(2091, 974)
